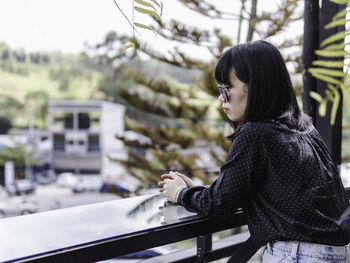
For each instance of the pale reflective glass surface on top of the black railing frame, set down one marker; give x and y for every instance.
(47, 231)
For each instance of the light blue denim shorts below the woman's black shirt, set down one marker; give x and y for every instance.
(303, 252)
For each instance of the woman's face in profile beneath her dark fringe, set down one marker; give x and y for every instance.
(237, 98)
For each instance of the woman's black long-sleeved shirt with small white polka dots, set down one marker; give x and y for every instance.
(285, 181)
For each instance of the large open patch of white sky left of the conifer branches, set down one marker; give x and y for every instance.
(58, 24)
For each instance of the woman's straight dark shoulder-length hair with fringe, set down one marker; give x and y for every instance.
(270, 91)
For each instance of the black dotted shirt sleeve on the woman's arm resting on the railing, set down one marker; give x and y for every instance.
(237, 183)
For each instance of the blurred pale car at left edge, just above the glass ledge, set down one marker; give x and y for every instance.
(17, 206)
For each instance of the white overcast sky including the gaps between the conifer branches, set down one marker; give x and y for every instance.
(65, 25)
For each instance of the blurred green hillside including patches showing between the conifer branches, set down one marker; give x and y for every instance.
(29, 80)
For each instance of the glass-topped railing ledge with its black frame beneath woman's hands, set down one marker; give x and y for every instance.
(86, 233)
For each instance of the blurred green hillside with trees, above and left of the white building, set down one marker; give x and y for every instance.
(29, 80)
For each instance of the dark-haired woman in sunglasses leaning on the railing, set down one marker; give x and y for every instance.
(278, 169)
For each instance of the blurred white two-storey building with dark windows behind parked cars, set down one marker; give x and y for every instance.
(82, 135)
